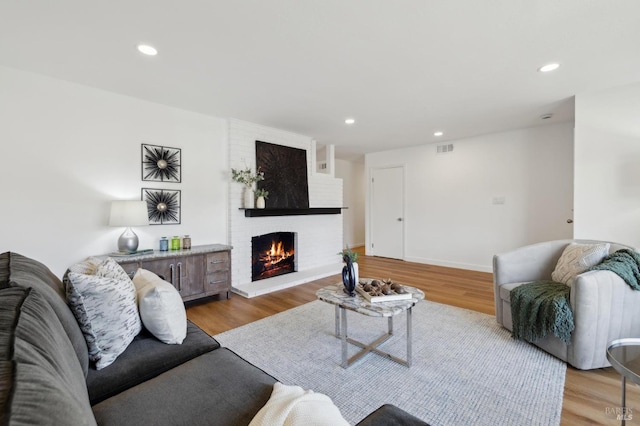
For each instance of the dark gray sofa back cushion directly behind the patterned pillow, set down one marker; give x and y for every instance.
(18, 270)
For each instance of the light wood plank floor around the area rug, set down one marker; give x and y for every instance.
(587, 394)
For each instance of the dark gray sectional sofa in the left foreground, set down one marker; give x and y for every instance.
(46, 377)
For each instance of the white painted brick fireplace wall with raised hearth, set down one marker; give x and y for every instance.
(317, 237)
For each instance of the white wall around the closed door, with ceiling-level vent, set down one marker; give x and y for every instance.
(450, 218)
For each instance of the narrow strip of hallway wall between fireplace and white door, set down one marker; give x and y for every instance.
(353, 178)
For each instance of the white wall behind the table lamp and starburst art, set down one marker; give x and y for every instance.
(68, 150)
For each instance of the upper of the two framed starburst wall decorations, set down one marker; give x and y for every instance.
(161, 164)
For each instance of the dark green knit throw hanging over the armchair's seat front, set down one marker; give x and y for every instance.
(539, 308)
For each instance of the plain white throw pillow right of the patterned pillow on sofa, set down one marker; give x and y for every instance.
(161, 307)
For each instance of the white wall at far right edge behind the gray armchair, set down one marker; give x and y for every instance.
(607, 171)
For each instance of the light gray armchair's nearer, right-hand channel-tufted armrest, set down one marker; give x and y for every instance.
(605, 308)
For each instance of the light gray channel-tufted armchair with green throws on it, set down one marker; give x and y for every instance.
(604, 307)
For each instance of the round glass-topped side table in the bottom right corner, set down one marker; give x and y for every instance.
(624, 356)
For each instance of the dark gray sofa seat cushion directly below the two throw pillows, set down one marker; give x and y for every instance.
(145, 358)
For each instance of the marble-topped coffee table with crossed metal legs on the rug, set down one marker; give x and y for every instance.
(335, 295)
